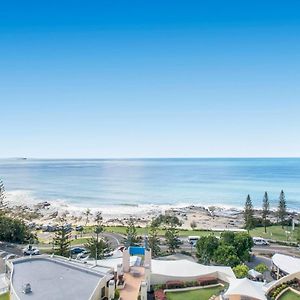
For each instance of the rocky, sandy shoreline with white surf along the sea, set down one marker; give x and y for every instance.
(204, 217)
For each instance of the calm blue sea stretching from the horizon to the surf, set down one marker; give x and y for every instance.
(138, 182)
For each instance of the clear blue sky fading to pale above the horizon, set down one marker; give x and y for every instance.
(149, 78)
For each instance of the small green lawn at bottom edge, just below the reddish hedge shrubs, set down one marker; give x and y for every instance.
(202, 294)
